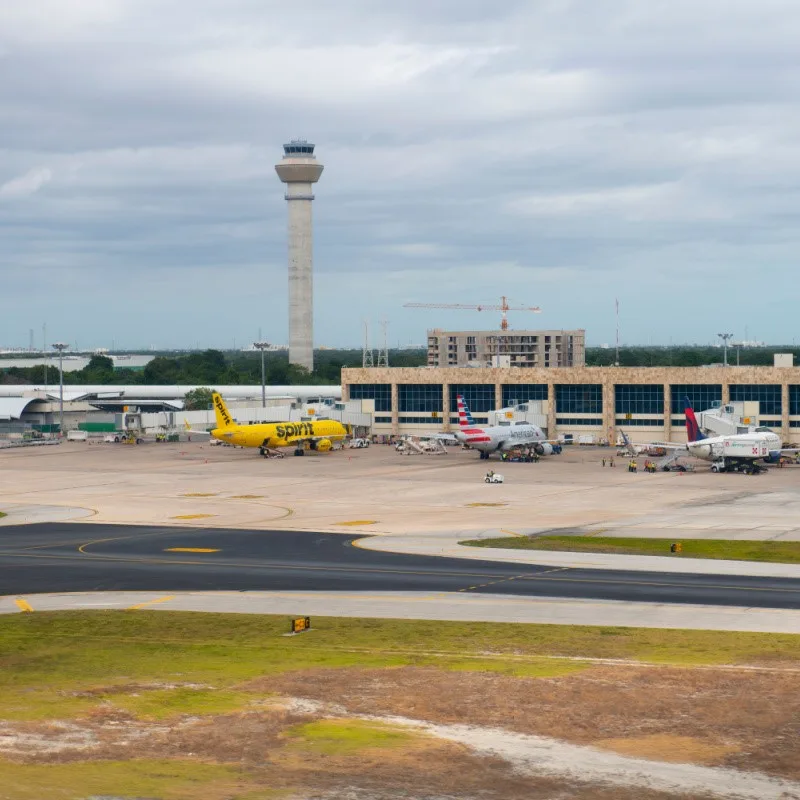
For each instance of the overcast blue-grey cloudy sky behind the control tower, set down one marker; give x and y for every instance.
(560, 152)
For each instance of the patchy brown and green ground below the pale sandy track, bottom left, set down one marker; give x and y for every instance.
(255, 755)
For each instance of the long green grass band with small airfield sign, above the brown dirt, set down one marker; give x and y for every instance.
(49, 659)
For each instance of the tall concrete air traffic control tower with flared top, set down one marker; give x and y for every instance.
(299, 169)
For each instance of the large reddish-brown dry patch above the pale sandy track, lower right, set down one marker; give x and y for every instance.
(752, 719)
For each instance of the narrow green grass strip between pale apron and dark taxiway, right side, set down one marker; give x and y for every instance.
(780, 552)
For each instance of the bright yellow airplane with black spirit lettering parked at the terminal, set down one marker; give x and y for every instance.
(318, 435)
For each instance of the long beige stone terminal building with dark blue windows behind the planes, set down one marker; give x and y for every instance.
(646, 402)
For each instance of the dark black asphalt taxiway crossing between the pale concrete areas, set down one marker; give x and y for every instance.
(73, 557)
